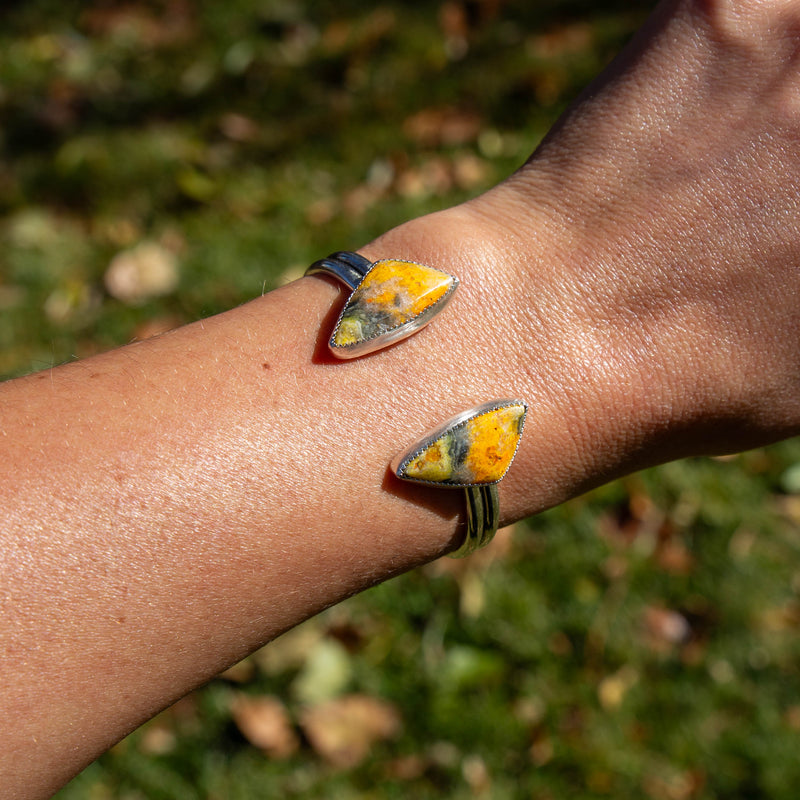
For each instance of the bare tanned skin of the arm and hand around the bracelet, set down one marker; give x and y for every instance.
(169, 507)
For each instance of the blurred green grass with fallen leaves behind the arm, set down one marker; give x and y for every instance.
(165, 160)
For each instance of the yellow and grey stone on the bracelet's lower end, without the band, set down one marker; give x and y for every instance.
(478, 450)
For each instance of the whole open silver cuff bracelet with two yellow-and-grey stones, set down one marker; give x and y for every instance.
(390, 300)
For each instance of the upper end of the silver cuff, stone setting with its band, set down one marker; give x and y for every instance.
(390, 300)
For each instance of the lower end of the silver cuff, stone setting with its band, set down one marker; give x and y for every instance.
(473, 451)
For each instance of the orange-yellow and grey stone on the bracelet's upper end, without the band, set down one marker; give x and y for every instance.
(392, 294)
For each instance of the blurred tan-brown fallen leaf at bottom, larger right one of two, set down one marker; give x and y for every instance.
(344, 730)
